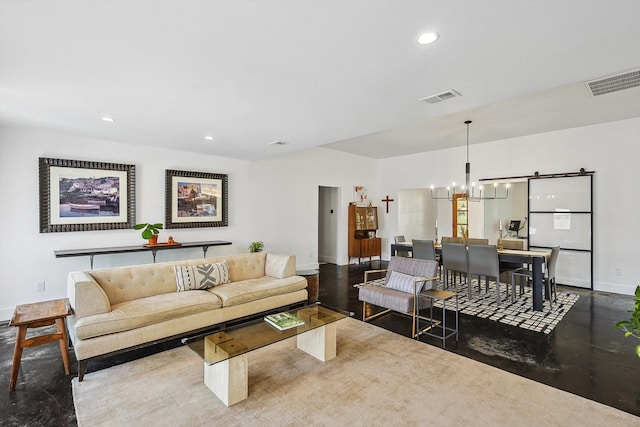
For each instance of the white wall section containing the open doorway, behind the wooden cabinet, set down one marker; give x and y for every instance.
(287, 186)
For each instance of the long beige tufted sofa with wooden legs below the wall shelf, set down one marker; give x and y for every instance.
(117, 309)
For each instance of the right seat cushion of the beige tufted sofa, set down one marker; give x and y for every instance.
(236, 293)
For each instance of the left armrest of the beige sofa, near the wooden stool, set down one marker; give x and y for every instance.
(85, 295)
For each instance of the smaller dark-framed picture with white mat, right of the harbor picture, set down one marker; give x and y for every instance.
(196, 199)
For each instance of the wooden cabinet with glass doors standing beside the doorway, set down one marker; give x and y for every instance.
(363, 225)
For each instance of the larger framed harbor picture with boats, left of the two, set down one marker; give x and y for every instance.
(78, 195)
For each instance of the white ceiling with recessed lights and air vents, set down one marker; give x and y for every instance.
(344, 74)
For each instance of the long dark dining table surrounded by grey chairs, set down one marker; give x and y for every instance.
(536, 259)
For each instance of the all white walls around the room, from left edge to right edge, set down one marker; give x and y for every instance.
(276, 200)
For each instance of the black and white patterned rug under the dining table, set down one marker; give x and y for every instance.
(519, 313)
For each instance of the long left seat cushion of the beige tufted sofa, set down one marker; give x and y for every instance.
(146, 311)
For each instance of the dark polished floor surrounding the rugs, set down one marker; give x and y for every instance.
(583, 355)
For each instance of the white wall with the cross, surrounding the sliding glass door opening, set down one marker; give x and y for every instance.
(610, 149)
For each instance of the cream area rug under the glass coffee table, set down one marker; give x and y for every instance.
(377, 378)
